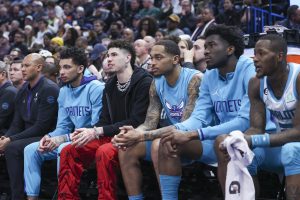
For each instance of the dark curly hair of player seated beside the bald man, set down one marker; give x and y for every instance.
(77, 55)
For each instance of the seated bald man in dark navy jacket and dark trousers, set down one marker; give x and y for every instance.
(30, 122)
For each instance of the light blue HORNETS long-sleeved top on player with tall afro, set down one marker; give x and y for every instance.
(226, 98)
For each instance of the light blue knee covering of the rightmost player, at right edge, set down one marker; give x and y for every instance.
(290, 158)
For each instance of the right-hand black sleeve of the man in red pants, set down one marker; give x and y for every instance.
(137, 113)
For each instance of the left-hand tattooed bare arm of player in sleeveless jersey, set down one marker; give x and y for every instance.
(153, 112)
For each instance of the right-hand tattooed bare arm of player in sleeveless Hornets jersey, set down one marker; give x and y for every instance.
(193, 94)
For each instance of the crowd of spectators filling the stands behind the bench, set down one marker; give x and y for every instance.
(29, 26)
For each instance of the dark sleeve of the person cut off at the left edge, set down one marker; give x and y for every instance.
(7, 104)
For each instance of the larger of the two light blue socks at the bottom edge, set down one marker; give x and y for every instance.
(169, 186)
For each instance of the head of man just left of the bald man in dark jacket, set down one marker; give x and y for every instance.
(15, 74)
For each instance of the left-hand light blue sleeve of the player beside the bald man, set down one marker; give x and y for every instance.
(64, 123)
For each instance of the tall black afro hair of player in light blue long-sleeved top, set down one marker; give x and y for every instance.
(231, 34)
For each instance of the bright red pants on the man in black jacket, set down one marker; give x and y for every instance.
(73, 161)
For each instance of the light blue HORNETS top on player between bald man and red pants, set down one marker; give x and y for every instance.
(79, 107)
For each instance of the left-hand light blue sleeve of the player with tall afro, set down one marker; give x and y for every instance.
(203, 111)
